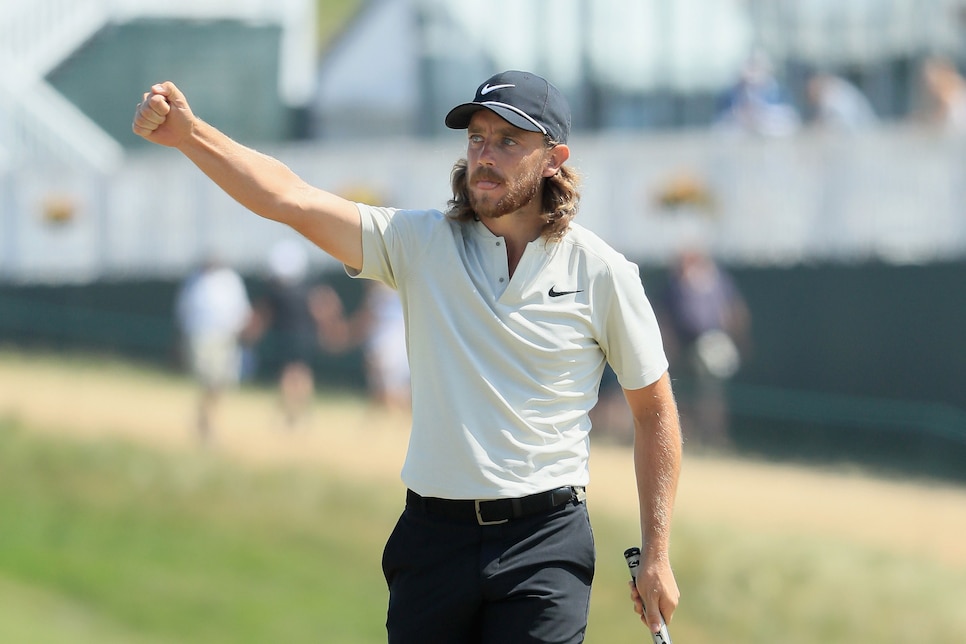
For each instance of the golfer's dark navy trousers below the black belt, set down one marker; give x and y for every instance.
(456, 582)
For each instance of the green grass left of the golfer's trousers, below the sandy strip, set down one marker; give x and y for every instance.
(190, 549)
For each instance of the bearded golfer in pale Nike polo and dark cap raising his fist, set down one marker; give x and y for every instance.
(512, 312)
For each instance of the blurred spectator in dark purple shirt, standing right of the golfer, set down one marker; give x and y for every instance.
(706, 325)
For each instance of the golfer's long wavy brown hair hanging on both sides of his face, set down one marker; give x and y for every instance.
(560, 198)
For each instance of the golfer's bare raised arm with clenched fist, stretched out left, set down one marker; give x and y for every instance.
(261, 183)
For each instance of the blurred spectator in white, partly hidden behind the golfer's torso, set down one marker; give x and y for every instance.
(378, 325)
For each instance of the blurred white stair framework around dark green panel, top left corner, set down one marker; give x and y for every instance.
(37, 124)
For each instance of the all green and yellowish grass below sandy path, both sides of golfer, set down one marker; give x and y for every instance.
(107, 541)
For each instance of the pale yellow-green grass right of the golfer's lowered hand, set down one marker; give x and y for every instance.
(754, 589)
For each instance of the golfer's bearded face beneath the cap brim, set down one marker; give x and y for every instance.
(505, 165)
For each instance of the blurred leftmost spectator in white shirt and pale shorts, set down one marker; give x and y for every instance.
(212, 310)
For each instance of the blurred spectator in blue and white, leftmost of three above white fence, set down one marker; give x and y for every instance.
(757, 104)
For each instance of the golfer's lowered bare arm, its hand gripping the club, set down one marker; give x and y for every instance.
(657, 462)
